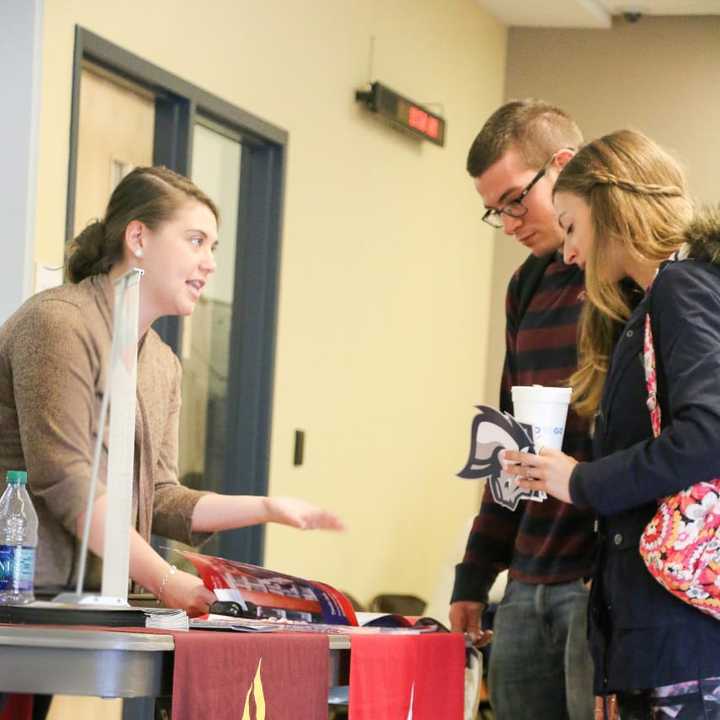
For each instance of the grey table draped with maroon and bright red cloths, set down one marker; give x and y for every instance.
(255, 676)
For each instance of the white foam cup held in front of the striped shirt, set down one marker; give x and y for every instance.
(545, 409)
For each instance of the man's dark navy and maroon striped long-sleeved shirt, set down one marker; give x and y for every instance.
(540, 542)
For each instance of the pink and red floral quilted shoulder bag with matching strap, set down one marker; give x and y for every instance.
(681, 544)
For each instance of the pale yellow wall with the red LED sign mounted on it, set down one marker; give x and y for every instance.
(386, 269)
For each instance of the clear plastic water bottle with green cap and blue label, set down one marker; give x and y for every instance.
(18, 541)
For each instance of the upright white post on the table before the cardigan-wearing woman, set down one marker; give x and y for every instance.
(121, 442)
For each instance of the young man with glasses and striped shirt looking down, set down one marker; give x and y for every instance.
(540, 667)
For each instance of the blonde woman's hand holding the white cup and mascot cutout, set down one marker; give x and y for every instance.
(549, 471)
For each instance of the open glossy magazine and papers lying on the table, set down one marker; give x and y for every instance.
(255, 599)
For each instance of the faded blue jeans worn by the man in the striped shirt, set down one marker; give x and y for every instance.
(540, 664)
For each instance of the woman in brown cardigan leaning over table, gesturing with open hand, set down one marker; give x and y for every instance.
(54, 354)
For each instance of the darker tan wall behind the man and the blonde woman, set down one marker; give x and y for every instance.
(659, 75)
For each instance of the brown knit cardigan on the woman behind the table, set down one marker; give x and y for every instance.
(54, 354)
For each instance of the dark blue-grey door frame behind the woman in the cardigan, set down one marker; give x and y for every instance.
(254, 324)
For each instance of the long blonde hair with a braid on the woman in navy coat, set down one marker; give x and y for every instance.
(639, 207)
